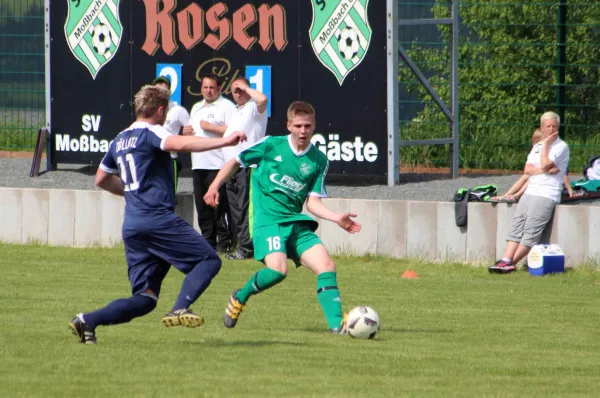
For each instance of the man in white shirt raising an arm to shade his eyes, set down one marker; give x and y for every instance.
(251, 118)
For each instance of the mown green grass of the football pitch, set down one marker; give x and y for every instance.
(455, 331)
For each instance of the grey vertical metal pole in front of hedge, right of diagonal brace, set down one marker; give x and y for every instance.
(454, 88)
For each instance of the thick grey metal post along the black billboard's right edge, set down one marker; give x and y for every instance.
(393, 129)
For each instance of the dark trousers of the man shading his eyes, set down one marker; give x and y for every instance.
(238, 193)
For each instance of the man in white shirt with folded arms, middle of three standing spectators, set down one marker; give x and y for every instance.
(209, 118)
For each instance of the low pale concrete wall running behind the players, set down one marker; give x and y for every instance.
(396, 228)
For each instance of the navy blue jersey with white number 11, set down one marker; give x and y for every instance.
(146, 173)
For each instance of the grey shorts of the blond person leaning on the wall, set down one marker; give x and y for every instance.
(532, 222)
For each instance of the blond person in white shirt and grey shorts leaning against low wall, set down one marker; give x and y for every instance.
(535, 210)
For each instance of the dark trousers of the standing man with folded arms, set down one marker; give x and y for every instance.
(212, 222)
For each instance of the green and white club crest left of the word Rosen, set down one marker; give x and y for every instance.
(93, 32)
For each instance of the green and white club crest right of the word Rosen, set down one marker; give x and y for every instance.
(340, 34)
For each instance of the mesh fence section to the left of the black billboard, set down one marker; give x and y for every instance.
(22, 101)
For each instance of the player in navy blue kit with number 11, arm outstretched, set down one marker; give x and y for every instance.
(154, 237)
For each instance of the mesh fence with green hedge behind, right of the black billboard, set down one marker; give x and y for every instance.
(517, 59)
